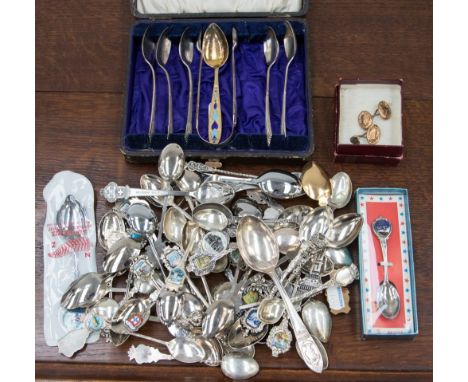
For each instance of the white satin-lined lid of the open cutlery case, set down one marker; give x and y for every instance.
(160, 9)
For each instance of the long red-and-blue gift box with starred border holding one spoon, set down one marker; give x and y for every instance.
(388, 303)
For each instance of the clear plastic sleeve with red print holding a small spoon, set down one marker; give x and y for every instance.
(69, 240)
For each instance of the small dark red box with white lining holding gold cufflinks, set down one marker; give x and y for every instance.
(381, 144)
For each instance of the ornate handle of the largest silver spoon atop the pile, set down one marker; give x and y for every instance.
(306, 347)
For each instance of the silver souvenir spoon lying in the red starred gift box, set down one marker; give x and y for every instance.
(388, 298)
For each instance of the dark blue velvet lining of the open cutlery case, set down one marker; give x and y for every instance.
(251, 83)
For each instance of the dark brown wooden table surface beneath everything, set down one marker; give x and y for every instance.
(81, 59)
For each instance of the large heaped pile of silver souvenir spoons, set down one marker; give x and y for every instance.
(272, 262)
